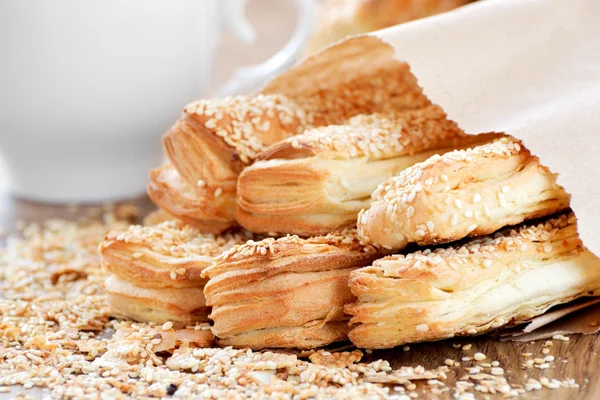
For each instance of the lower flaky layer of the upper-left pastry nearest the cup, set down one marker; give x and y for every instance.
(210, 210)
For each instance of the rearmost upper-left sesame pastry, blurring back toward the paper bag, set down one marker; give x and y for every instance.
(215, 139)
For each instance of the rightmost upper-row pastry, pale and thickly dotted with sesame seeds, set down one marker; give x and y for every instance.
(462, 193)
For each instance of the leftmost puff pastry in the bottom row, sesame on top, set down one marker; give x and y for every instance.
(156, 270)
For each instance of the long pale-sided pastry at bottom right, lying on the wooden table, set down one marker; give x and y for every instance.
(469, 288)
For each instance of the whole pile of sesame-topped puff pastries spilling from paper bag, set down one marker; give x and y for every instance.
(382, 221)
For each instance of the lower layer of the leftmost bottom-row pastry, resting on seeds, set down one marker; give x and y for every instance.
(183, 304)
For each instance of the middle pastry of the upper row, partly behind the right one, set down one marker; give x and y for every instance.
(318, 182)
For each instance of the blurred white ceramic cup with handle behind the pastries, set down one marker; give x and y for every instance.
(87, 87)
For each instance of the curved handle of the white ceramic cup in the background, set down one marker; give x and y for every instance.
(250, 77)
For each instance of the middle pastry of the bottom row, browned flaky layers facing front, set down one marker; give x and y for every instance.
(286, 292)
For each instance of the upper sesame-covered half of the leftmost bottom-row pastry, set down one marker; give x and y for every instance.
(170, 254)
